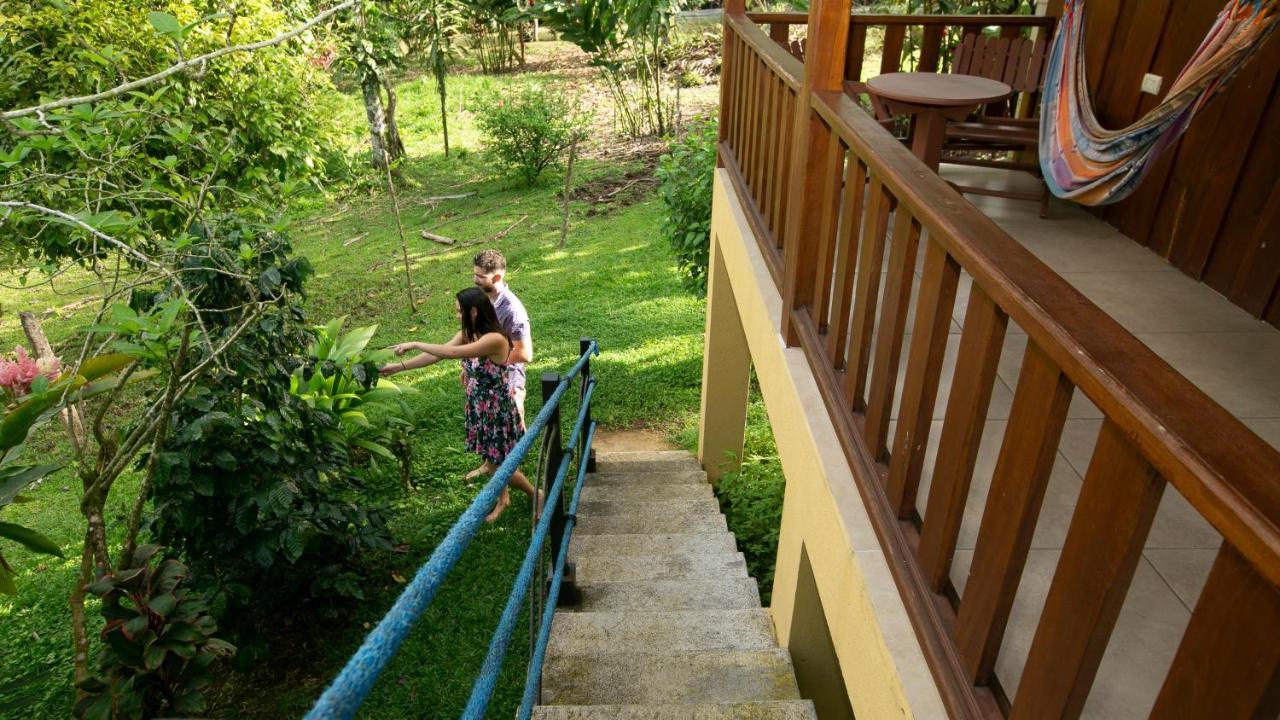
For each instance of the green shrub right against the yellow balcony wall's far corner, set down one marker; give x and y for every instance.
(685, 176)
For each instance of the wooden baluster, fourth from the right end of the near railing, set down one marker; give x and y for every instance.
(975, 377)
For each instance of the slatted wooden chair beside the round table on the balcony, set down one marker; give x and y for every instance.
(1020, 63)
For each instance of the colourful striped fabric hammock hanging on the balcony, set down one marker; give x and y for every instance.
(1092, 166)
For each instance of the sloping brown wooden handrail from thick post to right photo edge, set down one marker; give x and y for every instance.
(1226, 471)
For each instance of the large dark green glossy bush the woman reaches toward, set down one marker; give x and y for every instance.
(259, 490)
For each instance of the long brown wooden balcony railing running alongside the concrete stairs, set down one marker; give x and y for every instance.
(824, 215)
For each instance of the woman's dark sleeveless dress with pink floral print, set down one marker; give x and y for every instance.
(493, 423)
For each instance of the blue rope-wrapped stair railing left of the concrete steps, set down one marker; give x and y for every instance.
(354, 683)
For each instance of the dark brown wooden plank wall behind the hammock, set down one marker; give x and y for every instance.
(1212, 207)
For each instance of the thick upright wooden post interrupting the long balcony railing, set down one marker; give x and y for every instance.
(824, 71)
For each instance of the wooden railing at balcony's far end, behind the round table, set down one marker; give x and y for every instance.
(912, 43)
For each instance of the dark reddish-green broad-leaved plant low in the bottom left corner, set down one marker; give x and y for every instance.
(158, 642)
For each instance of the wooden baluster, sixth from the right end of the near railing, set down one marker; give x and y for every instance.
(889, 345)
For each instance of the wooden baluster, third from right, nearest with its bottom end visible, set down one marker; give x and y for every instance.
(1013, 507)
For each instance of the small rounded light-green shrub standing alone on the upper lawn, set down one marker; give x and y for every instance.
(529, 131)
